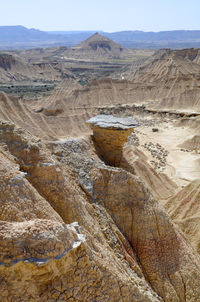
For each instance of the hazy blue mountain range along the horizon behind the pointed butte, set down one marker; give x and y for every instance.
(16, 37)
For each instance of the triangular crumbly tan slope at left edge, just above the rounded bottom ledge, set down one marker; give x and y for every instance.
(19, 200)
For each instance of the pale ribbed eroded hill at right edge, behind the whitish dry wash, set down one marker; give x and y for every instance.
(171, 79)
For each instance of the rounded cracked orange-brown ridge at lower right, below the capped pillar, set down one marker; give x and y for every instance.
(166, 258)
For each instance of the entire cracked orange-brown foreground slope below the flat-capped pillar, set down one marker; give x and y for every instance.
(126, 248)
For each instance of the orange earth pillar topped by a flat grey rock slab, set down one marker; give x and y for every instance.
(110, 134)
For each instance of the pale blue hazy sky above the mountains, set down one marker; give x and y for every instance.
(107, 15)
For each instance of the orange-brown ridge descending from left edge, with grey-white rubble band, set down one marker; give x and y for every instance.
(41, 170)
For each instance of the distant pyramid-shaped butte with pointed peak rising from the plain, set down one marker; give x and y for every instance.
(100, 44)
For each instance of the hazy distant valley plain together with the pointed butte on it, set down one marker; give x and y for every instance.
(29, 73)
